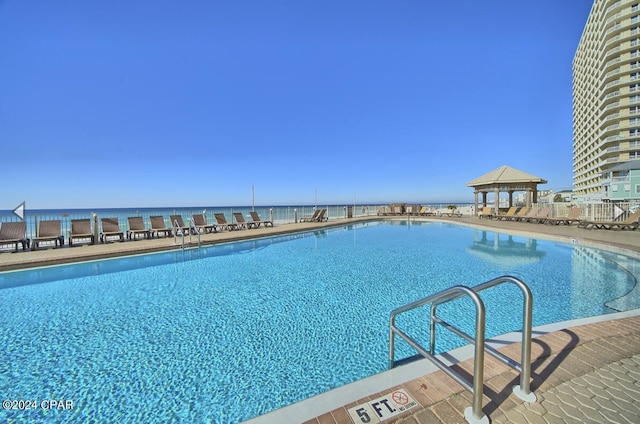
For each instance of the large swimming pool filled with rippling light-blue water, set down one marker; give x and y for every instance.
(230, 332)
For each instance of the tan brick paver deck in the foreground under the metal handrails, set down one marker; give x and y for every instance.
(584, 374)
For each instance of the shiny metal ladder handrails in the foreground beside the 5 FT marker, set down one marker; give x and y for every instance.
(474, 413)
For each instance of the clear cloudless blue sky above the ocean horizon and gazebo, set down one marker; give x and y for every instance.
(163, 103)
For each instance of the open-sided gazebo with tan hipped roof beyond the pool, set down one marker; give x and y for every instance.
(505, 179)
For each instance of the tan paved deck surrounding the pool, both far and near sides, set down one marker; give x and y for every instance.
(584, 371)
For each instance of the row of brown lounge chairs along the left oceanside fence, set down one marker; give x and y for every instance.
(15, 233)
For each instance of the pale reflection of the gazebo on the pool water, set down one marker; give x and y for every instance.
(504, 250)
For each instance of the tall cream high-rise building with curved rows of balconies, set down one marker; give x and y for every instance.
(606, 104)
